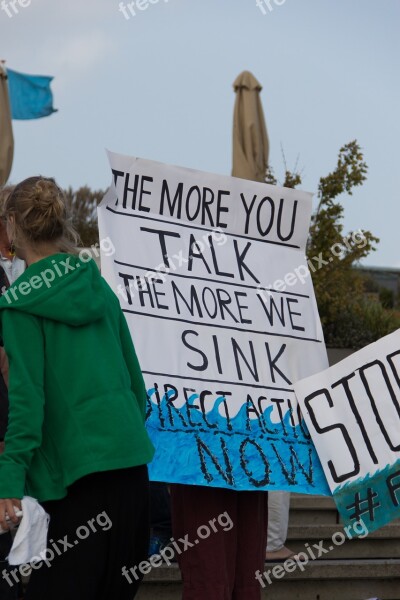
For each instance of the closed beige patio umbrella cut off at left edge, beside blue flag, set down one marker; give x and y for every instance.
(6, 134)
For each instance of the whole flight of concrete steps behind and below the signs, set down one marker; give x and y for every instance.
(356, 569)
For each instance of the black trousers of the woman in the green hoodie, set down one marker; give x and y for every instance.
(100, 527)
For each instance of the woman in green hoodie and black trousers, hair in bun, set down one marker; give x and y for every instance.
(76, 439)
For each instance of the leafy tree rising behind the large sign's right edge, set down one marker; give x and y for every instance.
(348, 318)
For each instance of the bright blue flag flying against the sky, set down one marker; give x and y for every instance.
(30, 95)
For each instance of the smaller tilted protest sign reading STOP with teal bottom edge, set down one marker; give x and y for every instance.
(352, 411)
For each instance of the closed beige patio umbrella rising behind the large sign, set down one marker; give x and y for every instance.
(250, 138)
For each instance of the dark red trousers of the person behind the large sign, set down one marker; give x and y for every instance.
(221, 565)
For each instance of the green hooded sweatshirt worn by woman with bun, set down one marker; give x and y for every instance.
(77, 396)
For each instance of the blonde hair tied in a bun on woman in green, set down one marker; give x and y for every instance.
(40, 214)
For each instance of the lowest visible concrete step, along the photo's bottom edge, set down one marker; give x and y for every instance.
(319, 580)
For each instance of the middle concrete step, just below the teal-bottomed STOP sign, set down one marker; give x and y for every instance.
(384, 543)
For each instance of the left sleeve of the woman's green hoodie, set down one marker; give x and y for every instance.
(24, 345)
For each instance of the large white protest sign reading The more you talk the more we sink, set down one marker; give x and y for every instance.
(212, 277)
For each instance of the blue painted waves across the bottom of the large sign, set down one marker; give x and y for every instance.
(207, 448)
